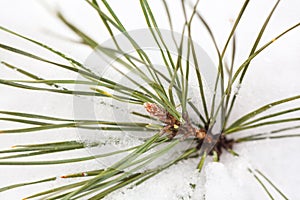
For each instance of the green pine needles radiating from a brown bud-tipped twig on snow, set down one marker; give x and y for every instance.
(168, 105)
